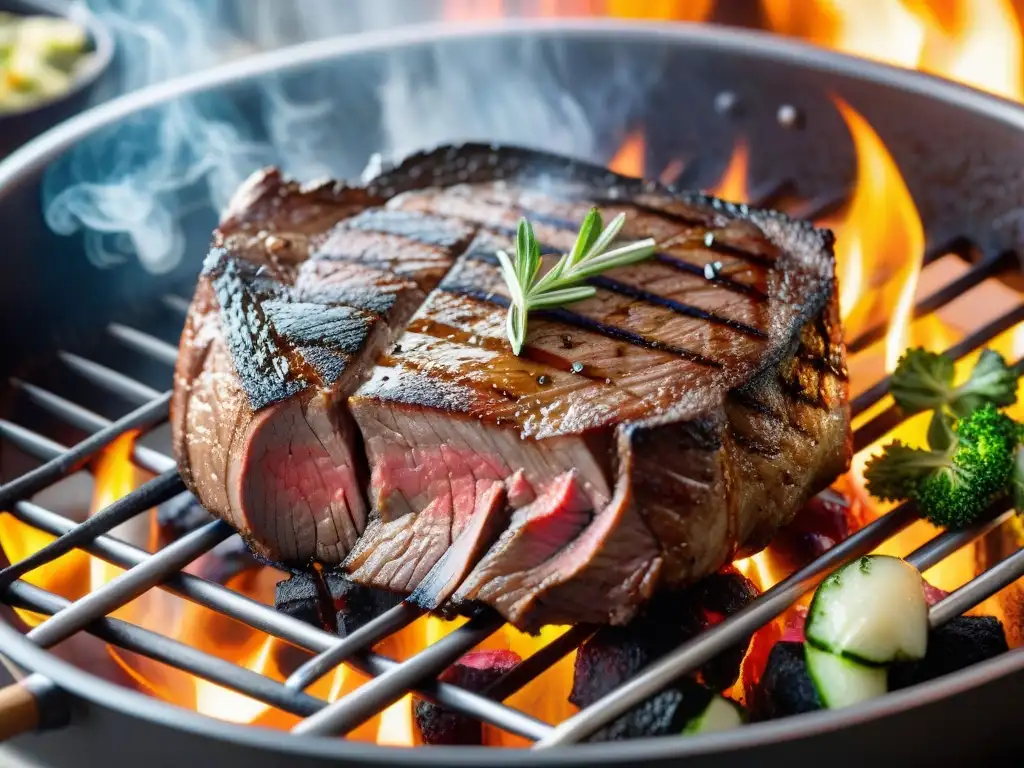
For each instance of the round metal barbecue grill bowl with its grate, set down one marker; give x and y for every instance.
(75, 319)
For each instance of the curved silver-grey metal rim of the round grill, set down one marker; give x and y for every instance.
(34, 157)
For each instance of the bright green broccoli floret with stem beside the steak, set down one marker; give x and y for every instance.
(953, 487)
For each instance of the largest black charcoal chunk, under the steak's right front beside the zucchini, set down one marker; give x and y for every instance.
(615, 655)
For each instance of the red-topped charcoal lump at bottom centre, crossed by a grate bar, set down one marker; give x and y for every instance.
(475, 672)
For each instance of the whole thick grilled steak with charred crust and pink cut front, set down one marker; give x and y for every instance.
(645, 438)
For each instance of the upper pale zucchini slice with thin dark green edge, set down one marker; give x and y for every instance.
(872, 611)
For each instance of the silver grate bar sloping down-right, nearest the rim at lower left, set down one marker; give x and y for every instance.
(175, 654)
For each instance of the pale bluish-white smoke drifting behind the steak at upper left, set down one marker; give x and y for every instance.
(130, 188)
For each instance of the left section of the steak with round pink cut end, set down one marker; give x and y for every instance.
(293, 307)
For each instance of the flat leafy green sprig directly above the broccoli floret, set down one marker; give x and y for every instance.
(924, 381)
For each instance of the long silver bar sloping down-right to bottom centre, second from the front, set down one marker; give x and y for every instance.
(266, 619)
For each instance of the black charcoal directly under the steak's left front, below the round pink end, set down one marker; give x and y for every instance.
(307, 594)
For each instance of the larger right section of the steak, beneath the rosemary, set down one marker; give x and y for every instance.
(698, 411)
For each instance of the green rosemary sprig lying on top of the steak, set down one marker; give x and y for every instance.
(563, 284)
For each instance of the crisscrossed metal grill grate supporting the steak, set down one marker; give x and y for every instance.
(392, 679)
